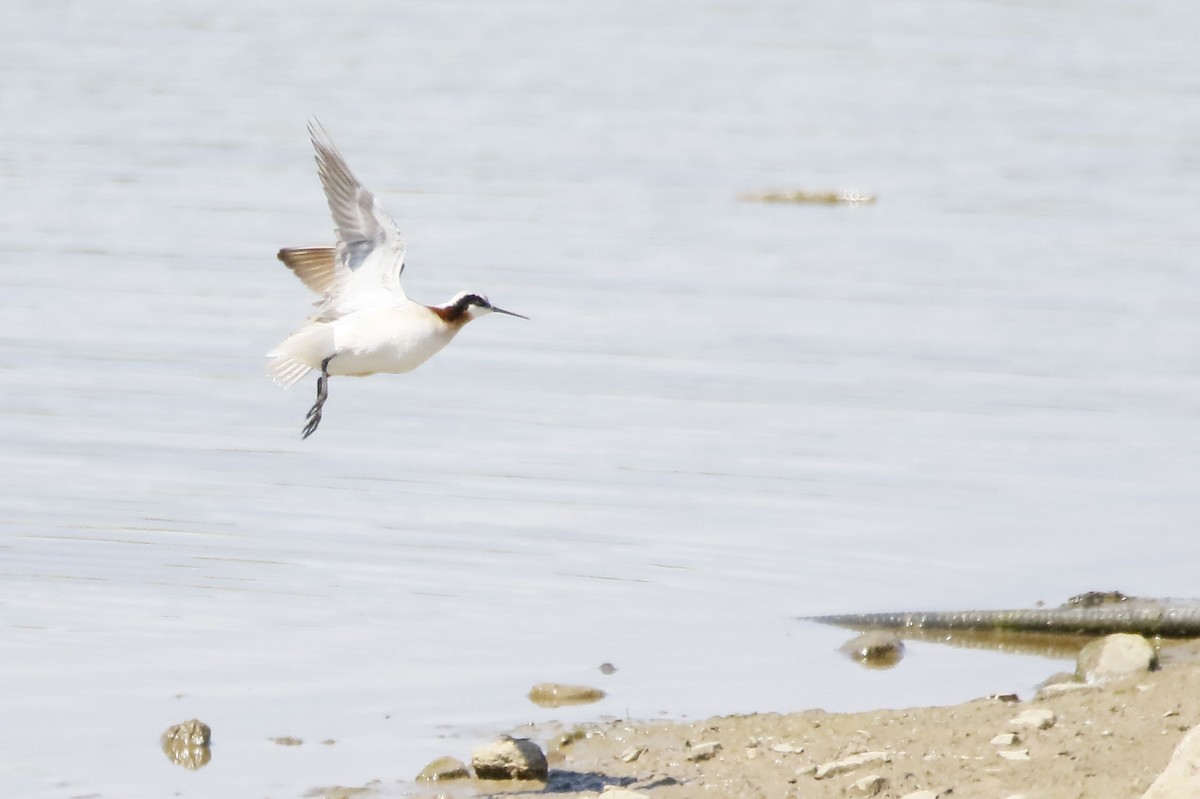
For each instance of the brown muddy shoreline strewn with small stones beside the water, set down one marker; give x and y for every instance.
(1101, 741)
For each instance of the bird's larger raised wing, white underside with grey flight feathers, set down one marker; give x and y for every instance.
(370, 251)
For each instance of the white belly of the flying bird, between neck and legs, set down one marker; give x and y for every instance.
(387, 340)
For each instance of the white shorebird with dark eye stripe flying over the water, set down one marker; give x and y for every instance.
(365, 325)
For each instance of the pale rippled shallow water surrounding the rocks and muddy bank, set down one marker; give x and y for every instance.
(980, 392)
